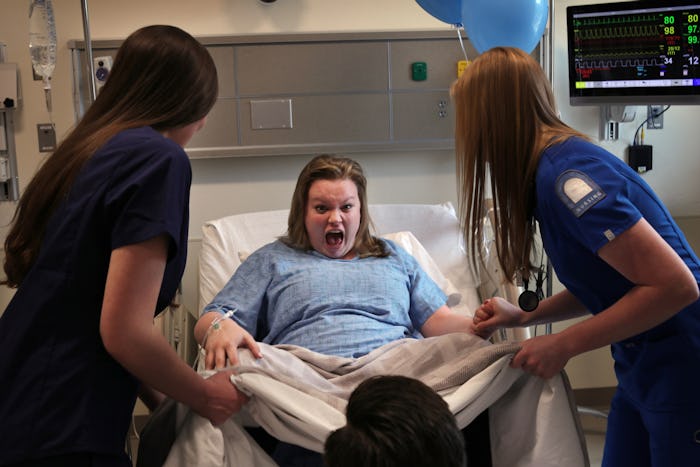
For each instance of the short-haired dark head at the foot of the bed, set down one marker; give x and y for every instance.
(395, 421)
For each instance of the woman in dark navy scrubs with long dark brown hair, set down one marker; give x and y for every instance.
(97, 247)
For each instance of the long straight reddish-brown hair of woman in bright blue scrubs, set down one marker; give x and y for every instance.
(505, 117)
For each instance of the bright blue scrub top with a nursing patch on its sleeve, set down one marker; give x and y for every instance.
(585, 198)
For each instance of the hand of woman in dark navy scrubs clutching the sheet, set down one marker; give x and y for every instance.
(221, 398)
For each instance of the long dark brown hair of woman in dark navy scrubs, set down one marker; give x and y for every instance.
(163, 78)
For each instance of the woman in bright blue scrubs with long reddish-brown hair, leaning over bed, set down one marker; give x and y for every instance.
(612, 243)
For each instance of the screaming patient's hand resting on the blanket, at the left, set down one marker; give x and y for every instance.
(222, 345)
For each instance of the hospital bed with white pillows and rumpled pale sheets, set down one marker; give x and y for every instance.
(533, 422)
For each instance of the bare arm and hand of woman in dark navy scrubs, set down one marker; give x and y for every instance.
(126, 326)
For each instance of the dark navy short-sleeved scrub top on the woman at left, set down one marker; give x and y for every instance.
(60, 391)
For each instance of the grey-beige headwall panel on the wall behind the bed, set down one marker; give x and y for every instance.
(328, 92)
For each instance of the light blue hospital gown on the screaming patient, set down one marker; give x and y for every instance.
(331, 306)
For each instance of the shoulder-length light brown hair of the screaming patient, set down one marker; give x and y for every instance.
(328, 167)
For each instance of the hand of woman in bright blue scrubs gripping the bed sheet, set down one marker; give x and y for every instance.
(543, 356)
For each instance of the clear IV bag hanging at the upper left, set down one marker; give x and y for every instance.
(42, 38)
